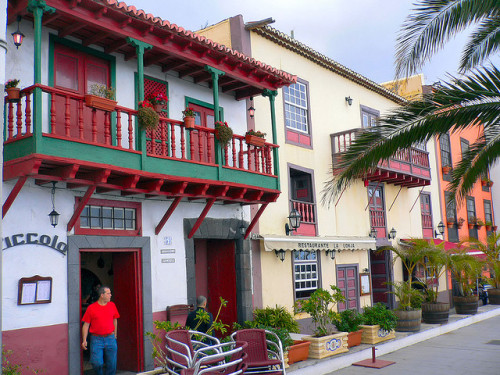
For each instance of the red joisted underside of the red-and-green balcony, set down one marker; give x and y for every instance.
(78, 174)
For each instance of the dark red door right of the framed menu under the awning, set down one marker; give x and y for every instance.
(380, 267)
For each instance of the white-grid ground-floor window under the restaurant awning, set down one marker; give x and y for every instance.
(305, 265)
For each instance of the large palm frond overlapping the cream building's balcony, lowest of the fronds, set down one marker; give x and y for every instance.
(457, 105)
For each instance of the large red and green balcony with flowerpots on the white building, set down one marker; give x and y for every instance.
(85, 146)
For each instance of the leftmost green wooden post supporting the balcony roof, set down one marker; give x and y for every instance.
(38, 7)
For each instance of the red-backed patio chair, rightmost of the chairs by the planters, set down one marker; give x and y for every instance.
(261, 360)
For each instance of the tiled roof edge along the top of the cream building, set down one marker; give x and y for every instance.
(284, 40)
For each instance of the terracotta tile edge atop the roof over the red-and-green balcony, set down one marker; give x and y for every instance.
(157, 21)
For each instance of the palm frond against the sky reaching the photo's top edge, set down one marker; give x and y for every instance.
(431, 24)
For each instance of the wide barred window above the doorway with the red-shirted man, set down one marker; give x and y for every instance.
(111, 218)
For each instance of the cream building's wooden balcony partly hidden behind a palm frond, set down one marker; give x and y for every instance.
(408, 168)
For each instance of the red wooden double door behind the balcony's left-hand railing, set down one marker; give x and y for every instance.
(76, 72)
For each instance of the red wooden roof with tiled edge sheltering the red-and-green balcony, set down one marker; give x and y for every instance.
(108, 24)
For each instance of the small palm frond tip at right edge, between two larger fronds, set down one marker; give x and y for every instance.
(484, 42)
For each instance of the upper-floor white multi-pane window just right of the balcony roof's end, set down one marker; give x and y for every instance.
(296, 107)
